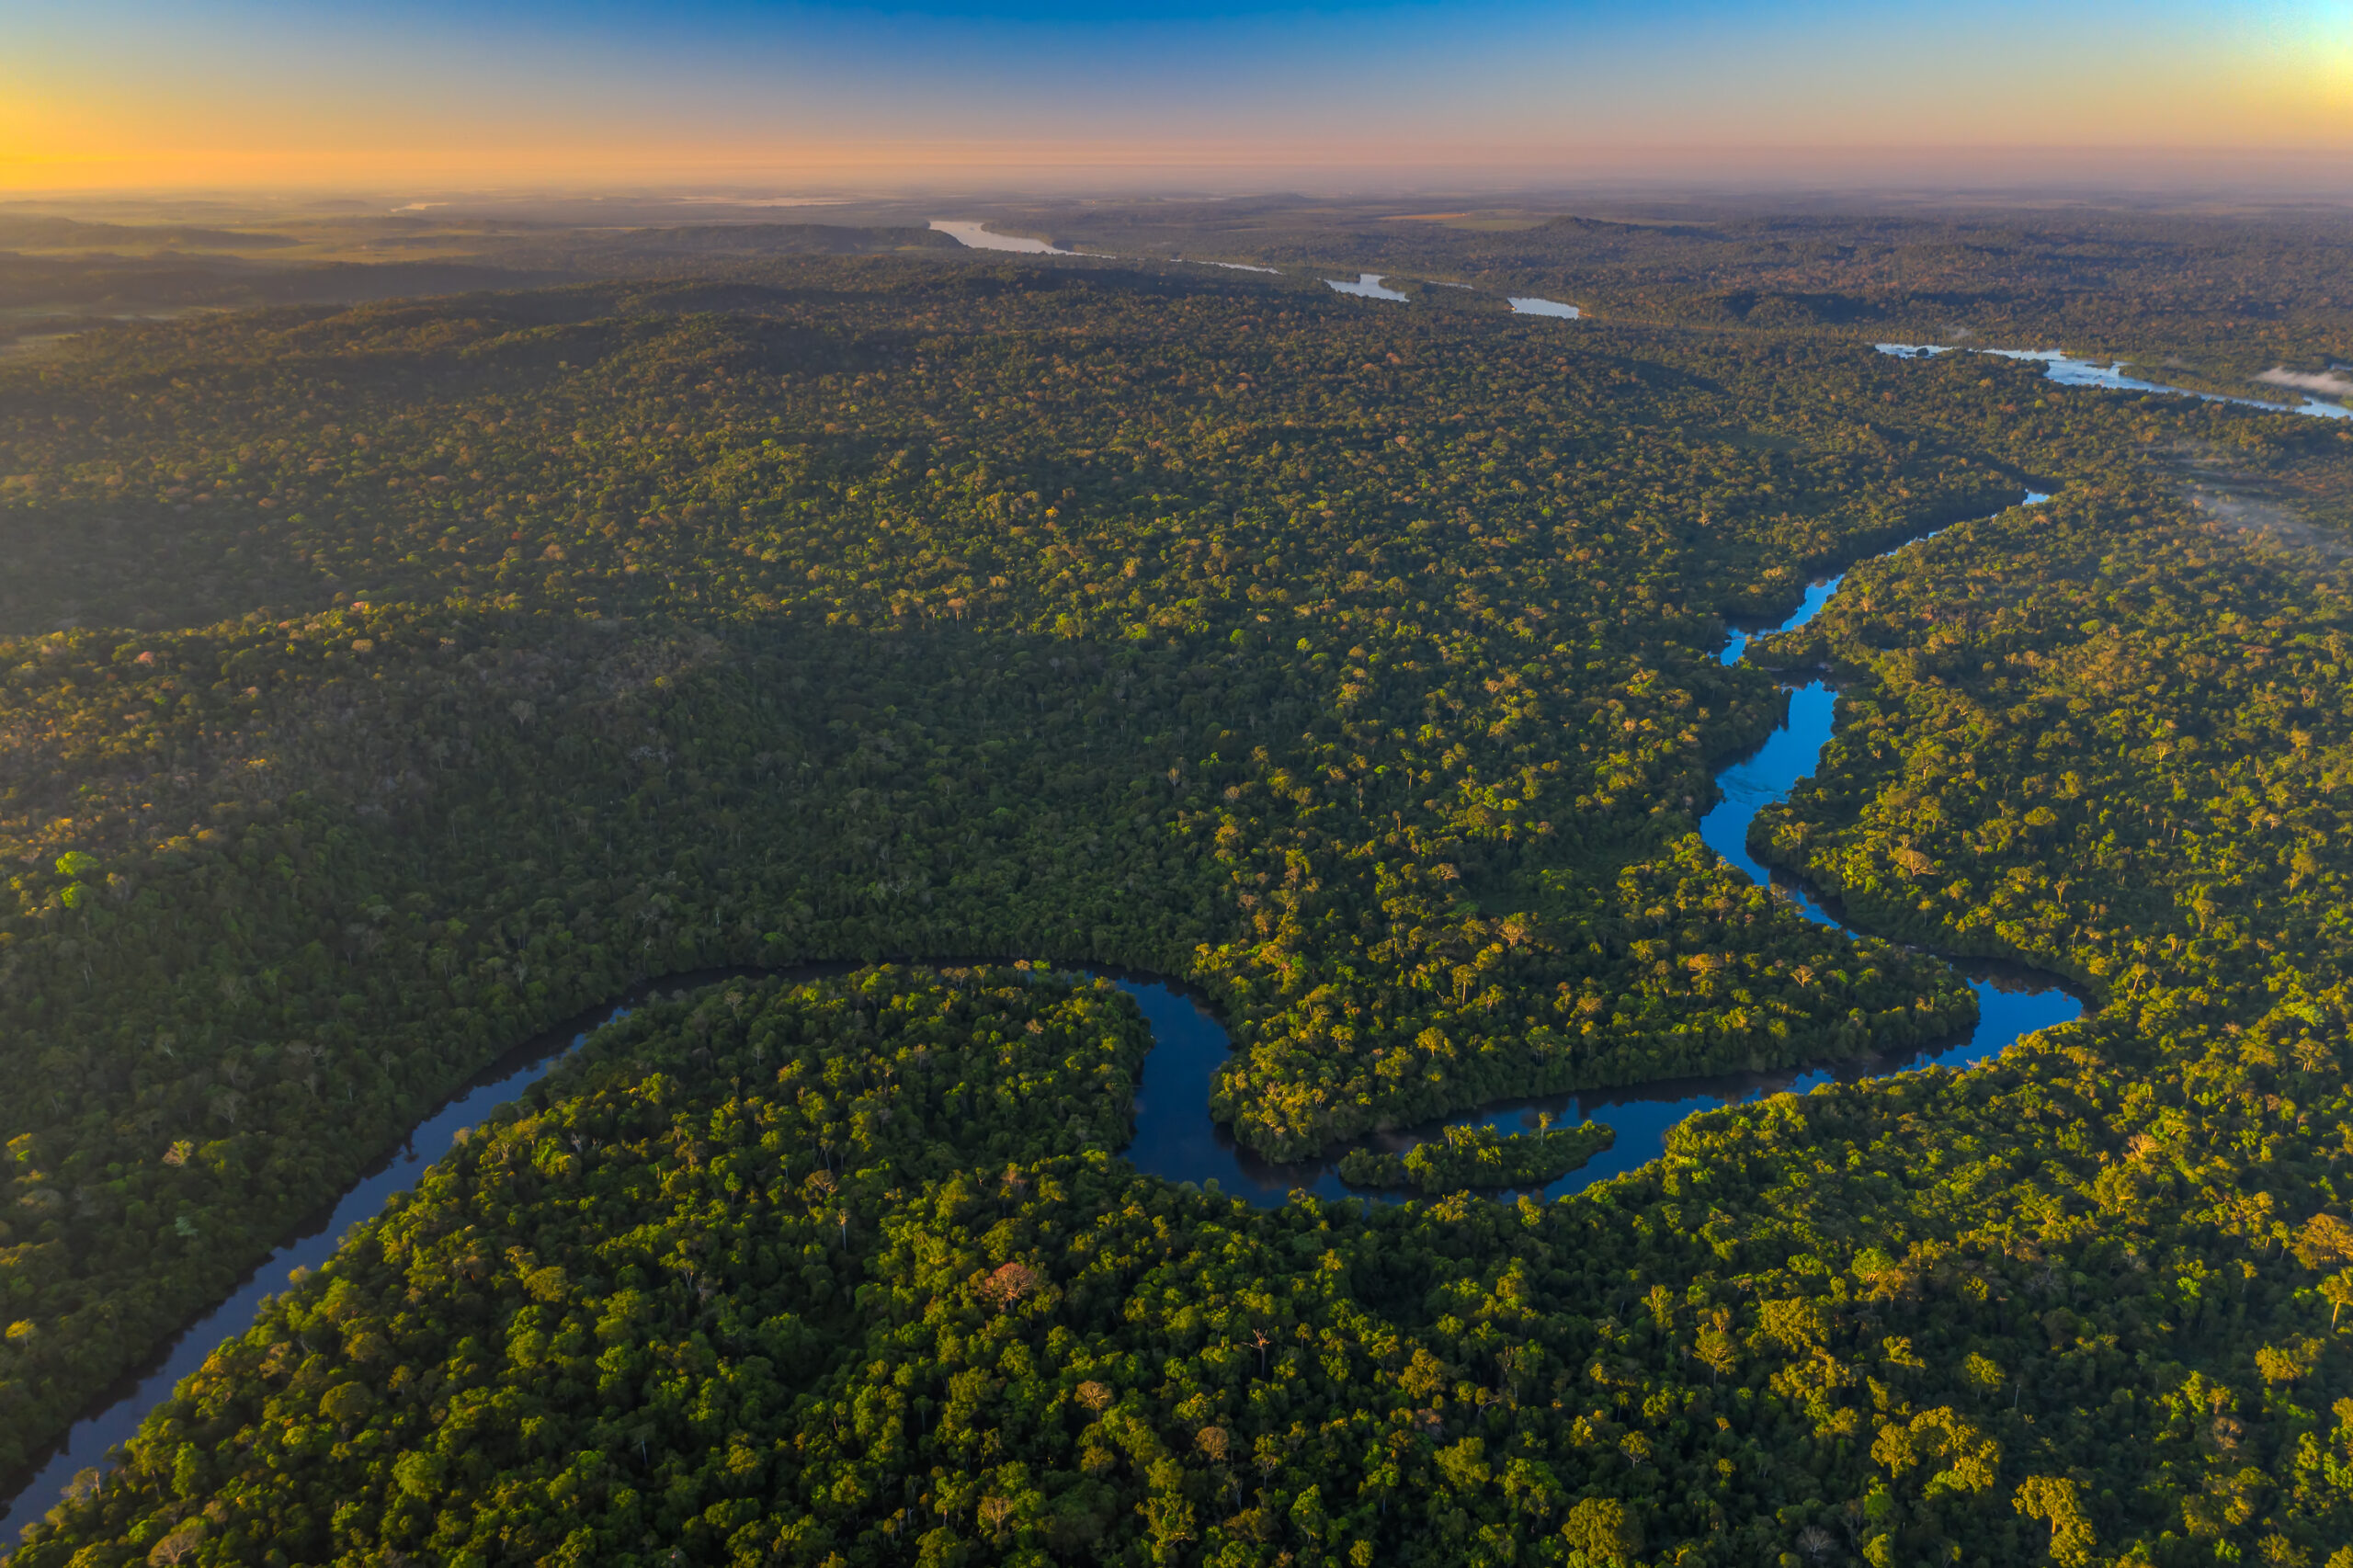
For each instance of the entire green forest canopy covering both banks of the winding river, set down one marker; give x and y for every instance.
(389, 682)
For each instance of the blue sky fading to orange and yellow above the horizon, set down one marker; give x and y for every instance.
(267, 95)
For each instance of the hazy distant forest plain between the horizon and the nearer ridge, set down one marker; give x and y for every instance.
(2192, 298)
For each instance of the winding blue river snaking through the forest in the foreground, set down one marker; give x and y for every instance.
(1175, 1136)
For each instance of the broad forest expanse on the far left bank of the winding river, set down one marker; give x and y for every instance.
(1389, 748)
